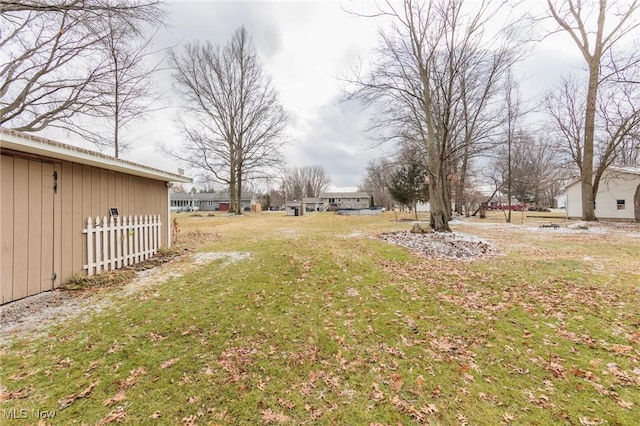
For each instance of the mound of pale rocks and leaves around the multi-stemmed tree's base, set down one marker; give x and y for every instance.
(442, 245)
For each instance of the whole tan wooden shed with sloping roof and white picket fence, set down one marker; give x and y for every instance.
(66, 210)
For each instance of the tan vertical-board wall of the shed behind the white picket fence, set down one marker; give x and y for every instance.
(82, 191)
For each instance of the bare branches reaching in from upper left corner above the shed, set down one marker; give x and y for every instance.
(51, 62)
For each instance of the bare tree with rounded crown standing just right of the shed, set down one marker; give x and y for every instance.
(233, 124)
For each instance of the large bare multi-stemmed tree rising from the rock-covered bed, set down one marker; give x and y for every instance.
(417, 83)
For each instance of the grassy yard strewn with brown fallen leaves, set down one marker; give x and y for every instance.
(312, 320)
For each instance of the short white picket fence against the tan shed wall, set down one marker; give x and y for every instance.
(121, 241)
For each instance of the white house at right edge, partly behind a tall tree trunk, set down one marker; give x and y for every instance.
(618, 196)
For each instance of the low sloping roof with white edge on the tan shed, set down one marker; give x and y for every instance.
(36, 145)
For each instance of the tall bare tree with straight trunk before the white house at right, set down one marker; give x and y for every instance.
(597, 39)
